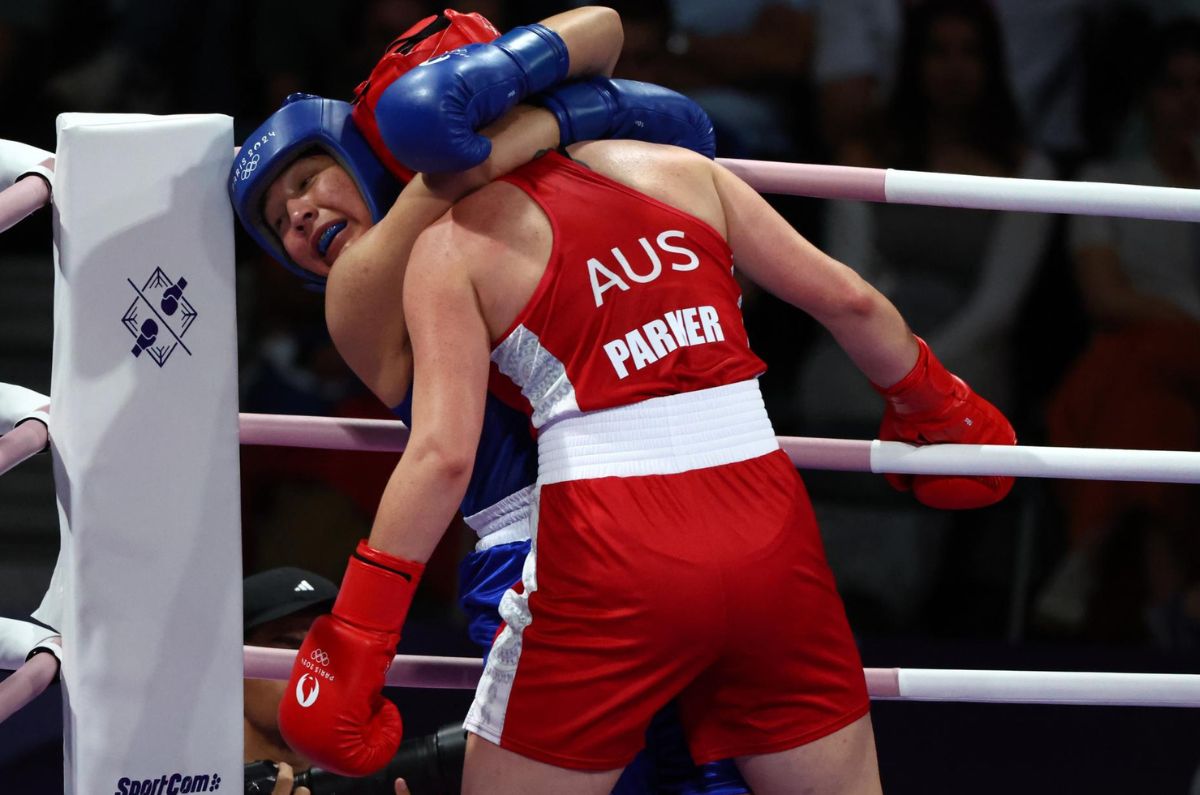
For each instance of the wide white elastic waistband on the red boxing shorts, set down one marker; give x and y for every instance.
(659, 437)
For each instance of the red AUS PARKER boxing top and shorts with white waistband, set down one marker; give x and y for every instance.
(675, 553)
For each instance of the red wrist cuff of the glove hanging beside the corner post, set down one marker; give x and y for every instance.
(377, 590)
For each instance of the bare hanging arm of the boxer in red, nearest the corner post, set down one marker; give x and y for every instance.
(451, 352)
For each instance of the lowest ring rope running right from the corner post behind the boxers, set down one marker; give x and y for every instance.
(885, 684)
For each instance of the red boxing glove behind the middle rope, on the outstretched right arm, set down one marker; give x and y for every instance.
(929, 407)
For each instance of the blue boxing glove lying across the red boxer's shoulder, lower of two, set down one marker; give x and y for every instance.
(602, 107)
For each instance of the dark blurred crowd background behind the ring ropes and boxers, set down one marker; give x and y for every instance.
(1085, 332)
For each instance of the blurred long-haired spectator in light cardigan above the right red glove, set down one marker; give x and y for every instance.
(959, 277)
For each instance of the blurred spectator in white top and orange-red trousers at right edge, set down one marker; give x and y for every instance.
(1138, 385)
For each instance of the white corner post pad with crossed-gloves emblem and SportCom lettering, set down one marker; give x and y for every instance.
(146, 455)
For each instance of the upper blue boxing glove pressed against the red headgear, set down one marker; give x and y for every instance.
(428, 118)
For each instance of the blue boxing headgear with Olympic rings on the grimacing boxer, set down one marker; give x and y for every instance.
(304, 122)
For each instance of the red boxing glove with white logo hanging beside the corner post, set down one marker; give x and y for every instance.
(334, 712)
